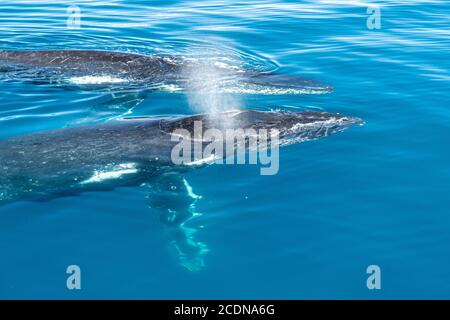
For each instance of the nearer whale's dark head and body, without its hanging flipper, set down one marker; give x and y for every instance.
(130, 152)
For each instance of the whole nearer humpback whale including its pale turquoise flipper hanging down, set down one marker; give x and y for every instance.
(137, 152)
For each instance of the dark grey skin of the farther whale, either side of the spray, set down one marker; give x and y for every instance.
(141, 70)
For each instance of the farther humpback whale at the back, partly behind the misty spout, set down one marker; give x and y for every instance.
(91, 69)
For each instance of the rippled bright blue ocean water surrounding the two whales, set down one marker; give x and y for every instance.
(376, 194)
